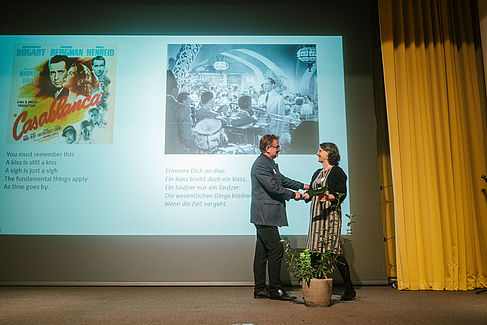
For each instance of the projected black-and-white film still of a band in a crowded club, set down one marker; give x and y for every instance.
(221, 98)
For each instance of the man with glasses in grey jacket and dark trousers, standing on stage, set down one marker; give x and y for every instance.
(270, 191)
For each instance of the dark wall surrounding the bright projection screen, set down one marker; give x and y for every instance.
(222, 259)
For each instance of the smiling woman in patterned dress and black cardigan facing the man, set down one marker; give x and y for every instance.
(326, 219)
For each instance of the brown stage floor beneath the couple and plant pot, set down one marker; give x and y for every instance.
(233, 305)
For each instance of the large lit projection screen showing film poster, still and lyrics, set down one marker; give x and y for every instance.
(96, 141)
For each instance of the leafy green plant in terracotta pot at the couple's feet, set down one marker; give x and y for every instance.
(314, 269)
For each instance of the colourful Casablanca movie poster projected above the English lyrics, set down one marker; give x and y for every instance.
(62, 94)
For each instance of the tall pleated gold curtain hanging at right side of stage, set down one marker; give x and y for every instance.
(436, 112)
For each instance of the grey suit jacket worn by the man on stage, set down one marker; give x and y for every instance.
(270, 190)
